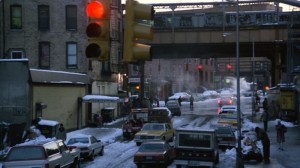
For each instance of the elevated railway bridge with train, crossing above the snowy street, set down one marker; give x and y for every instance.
(212, 33)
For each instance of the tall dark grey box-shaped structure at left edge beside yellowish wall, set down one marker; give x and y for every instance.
(16, 109)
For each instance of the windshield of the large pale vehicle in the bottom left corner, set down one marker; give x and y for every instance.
(26, 153)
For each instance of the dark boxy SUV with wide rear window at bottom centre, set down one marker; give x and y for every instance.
(196, 148)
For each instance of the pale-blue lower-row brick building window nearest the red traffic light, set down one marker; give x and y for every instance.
(71, 55)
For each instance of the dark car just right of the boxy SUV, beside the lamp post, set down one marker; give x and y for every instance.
(225, 137)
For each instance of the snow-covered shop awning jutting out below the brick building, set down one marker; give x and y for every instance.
(100, 99)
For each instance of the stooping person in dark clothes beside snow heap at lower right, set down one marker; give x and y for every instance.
(263, 136)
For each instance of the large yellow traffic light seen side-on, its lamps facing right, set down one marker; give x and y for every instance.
(134, 31)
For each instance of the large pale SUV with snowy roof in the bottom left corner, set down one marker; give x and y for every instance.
(50, 154)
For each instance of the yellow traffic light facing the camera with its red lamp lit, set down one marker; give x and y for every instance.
(98, 30)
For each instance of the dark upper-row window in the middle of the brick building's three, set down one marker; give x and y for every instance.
(43, 17)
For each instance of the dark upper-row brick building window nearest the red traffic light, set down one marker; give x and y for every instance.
(71, 17)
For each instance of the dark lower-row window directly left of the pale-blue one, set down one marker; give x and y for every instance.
(44, 55)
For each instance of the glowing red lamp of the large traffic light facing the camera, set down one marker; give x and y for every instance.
(95, 10)
